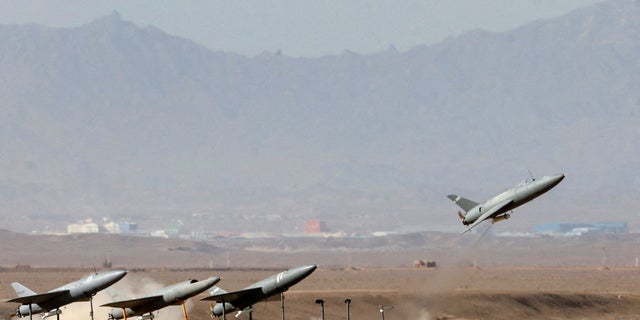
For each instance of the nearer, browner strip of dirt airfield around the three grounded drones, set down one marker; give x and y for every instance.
(456, 293)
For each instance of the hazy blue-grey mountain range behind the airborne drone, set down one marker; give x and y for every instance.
(115, 120)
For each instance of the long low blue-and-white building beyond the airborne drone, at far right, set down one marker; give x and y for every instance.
(577, 229)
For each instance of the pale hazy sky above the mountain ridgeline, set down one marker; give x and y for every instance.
(298, 27)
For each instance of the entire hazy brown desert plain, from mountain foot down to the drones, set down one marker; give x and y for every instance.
(475, 278)
